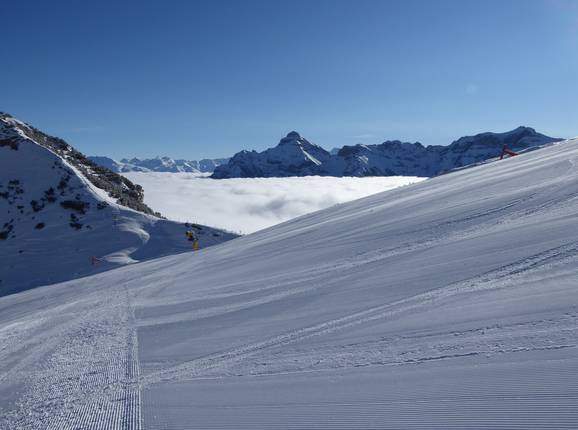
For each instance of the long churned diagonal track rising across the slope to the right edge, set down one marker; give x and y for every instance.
(494, 279)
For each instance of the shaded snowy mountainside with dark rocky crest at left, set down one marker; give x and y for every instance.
(62, 216)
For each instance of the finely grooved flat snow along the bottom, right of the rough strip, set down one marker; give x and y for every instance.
(510, 398)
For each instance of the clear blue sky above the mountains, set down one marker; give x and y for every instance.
(192, 79)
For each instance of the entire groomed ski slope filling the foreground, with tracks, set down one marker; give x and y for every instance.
(447, 304)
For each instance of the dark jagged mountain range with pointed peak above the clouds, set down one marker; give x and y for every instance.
(295, 156)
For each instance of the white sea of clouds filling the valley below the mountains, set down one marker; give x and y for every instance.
(246, 205)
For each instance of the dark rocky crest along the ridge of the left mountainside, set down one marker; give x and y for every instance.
(127, 193)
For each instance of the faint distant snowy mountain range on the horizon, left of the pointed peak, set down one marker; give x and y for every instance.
(159, 164)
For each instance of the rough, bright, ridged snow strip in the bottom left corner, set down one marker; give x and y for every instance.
(102, 392)
